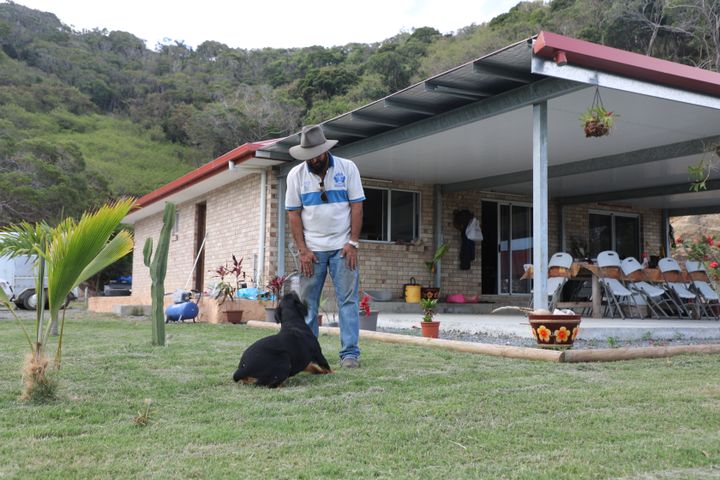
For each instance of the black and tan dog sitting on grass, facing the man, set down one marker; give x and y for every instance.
(272, 360)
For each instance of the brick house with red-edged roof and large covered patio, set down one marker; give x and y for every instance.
(499, 136)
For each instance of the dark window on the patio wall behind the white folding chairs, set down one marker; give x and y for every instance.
(615, 231)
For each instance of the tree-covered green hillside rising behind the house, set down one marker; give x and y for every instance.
(91, 115)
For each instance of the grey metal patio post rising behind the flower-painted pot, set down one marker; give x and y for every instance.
(540, 206)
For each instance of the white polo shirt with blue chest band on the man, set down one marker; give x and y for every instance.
(326, 225)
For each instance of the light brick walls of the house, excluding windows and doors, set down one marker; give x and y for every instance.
(233, 215)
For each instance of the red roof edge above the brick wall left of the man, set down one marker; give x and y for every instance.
(240, 154)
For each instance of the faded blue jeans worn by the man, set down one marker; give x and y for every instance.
(345, 282)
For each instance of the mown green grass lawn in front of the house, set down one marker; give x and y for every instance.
(409, 412)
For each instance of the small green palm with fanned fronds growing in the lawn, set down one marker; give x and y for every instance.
(71, 252)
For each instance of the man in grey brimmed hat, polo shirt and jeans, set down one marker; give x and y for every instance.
(324, 203)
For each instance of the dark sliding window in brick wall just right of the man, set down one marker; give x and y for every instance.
(391, 215)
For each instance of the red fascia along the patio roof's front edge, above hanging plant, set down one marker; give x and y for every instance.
(629, 64)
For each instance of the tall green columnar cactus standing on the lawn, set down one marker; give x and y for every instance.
(158, 269)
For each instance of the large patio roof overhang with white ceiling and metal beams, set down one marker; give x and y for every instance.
(471, 127)
